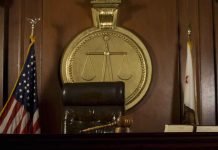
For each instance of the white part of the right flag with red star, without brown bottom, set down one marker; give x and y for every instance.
(189, 87)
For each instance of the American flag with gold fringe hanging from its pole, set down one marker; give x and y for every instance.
(21, 114)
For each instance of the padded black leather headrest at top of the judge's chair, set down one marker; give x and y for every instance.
(93, 93)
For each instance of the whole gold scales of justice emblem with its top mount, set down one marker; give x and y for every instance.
(107, 53)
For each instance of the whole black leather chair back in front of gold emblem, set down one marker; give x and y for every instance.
(90, 104)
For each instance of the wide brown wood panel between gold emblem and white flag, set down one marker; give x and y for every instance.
(155, 22)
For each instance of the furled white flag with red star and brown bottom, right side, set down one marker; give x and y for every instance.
(189, 88)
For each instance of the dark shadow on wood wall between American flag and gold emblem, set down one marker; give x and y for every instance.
(51, 103)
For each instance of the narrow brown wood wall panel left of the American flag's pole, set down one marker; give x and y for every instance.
(15, 46)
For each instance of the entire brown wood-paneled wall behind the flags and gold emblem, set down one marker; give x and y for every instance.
(161, 25)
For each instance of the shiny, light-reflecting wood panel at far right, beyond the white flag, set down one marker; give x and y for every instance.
(207, 82)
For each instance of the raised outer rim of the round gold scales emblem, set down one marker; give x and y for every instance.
(134, 98)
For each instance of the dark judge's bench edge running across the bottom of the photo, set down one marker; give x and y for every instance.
(112, 141)
